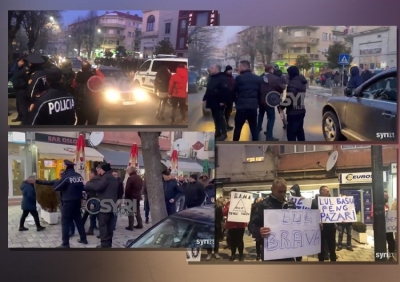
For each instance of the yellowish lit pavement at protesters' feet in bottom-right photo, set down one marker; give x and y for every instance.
(361, 253)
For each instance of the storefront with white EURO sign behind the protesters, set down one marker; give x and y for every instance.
(359, 185)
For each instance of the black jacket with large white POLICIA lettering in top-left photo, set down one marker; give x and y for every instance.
(55, 107)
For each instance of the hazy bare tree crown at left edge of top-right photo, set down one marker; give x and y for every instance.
(202, 42)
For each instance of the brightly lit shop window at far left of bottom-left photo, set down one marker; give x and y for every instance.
(19, 162)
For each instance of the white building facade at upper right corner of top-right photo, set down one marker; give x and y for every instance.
(373, 46)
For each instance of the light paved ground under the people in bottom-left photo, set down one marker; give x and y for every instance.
(51, 236)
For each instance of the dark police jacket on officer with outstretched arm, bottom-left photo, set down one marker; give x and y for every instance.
(70, 186)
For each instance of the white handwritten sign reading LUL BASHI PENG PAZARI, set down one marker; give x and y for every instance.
(337, 209)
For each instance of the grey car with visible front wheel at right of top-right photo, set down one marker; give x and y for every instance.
(364, 114)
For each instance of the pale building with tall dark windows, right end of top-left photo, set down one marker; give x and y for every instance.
(157, 25)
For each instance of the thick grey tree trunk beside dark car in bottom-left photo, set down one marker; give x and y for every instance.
(153, 178)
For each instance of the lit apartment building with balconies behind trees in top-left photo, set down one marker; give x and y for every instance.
(109, 31)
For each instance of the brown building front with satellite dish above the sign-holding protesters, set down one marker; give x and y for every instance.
(253, 168)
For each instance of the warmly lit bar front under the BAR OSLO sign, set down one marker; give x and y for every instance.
(52, 150)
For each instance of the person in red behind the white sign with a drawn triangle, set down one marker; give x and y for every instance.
(236, 233)
